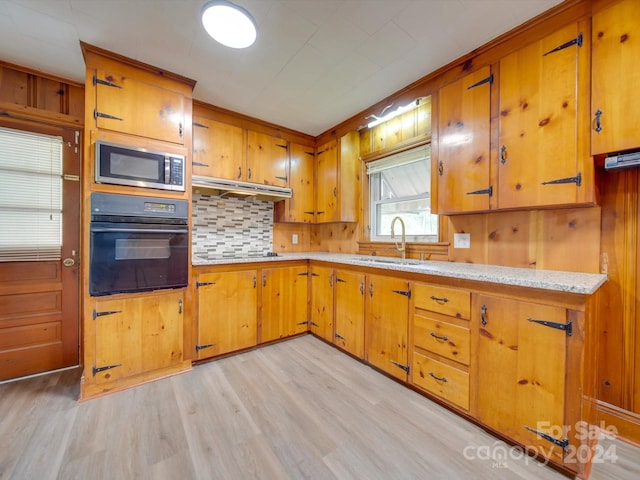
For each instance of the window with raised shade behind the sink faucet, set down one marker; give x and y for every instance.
(400, 187)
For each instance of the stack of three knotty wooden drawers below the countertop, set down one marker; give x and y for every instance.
(442, 342)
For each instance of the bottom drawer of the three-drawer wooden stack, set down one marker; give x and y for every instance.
(443, 380)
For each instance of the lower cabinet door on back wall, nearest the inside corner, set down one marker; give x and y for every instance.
(285, 305)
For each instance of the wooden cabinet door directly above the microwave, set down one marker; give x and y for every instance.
(124, 104)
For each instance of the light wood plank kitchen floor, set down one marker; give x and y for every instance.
(297, 409)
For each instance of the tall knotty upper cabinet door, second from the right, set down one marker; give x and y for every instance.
(538, 141)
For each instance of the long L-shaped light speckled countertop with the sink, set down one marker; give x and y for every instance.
(570, 282)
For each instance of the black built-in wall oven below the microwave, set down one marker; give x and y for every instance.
(137, 244)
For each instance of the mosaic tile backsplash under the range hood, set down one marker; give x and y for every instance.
(231, 227)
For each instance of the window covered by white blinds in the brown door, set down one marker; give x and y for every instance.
(30, 196)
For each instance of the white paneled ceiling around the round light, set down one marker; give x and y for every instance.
(315, 62)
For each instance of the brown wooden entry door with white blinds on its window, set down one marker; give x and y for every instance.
(39, 242)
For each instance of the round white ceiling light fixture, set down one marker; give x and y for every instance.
(229, 24)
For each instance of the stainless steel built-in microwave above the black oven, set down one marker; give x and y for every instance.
(139, 167)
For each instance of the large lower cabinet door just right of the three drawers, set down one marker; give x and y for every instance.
(521, 368)
